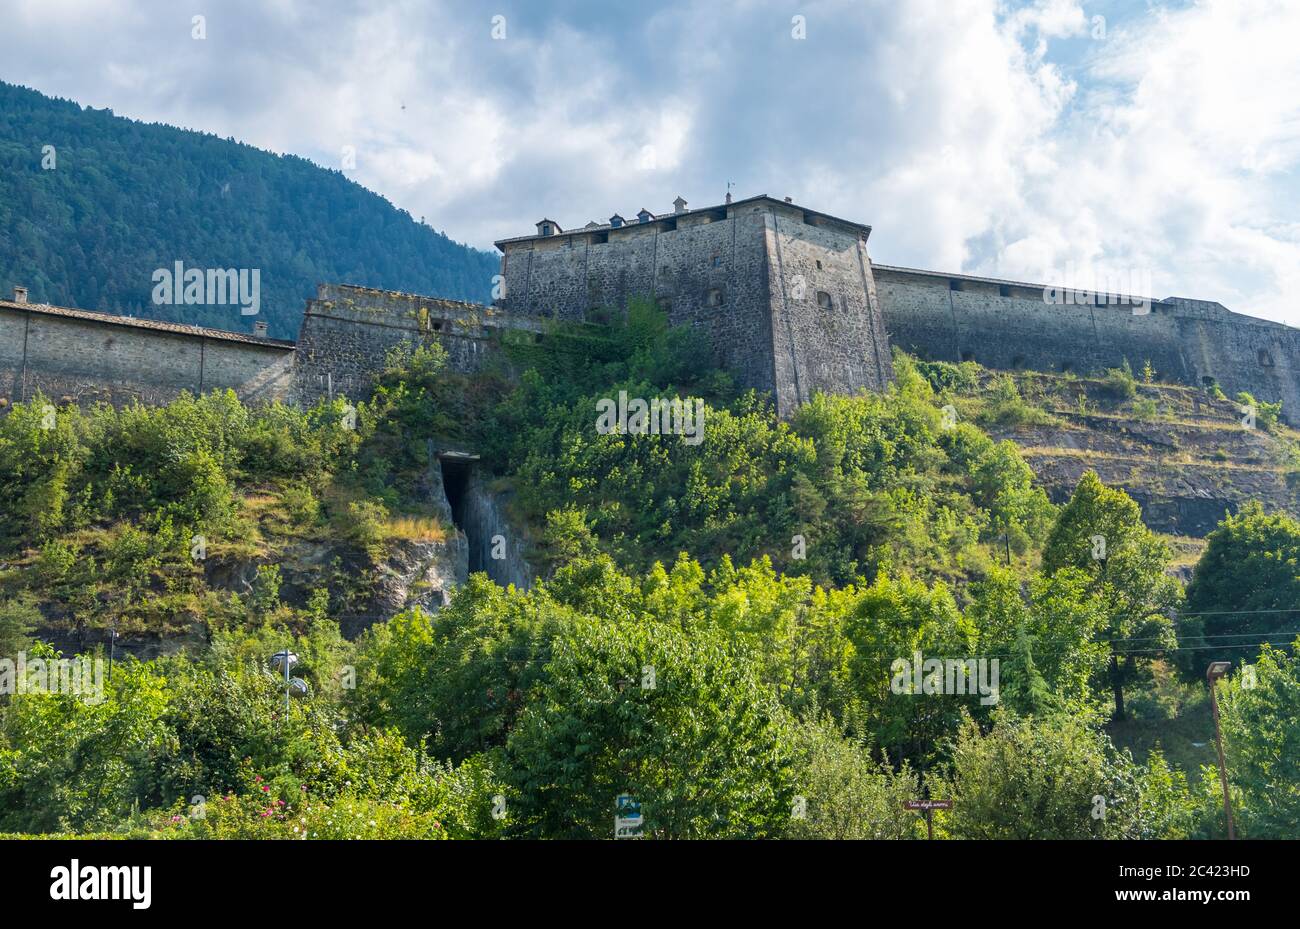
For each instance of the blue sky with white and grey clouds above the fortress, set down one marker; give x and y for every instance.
(1045, 141)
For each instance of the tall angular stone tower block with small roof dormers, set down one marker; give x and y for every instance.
(785, 296)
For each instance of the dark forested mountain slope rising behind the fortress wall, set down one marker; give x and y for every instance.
(127, 198)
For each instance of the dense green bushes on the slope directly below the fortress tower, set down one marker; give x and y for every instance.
(848, 488)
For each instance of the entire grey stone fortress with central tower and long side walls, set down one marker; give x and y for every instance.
(787, 298)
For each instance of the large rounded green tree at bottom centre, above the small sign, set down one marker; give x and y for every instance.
(670, 719)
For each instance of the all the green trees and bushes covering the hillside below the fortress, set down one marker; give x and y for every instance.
(679, 646)
